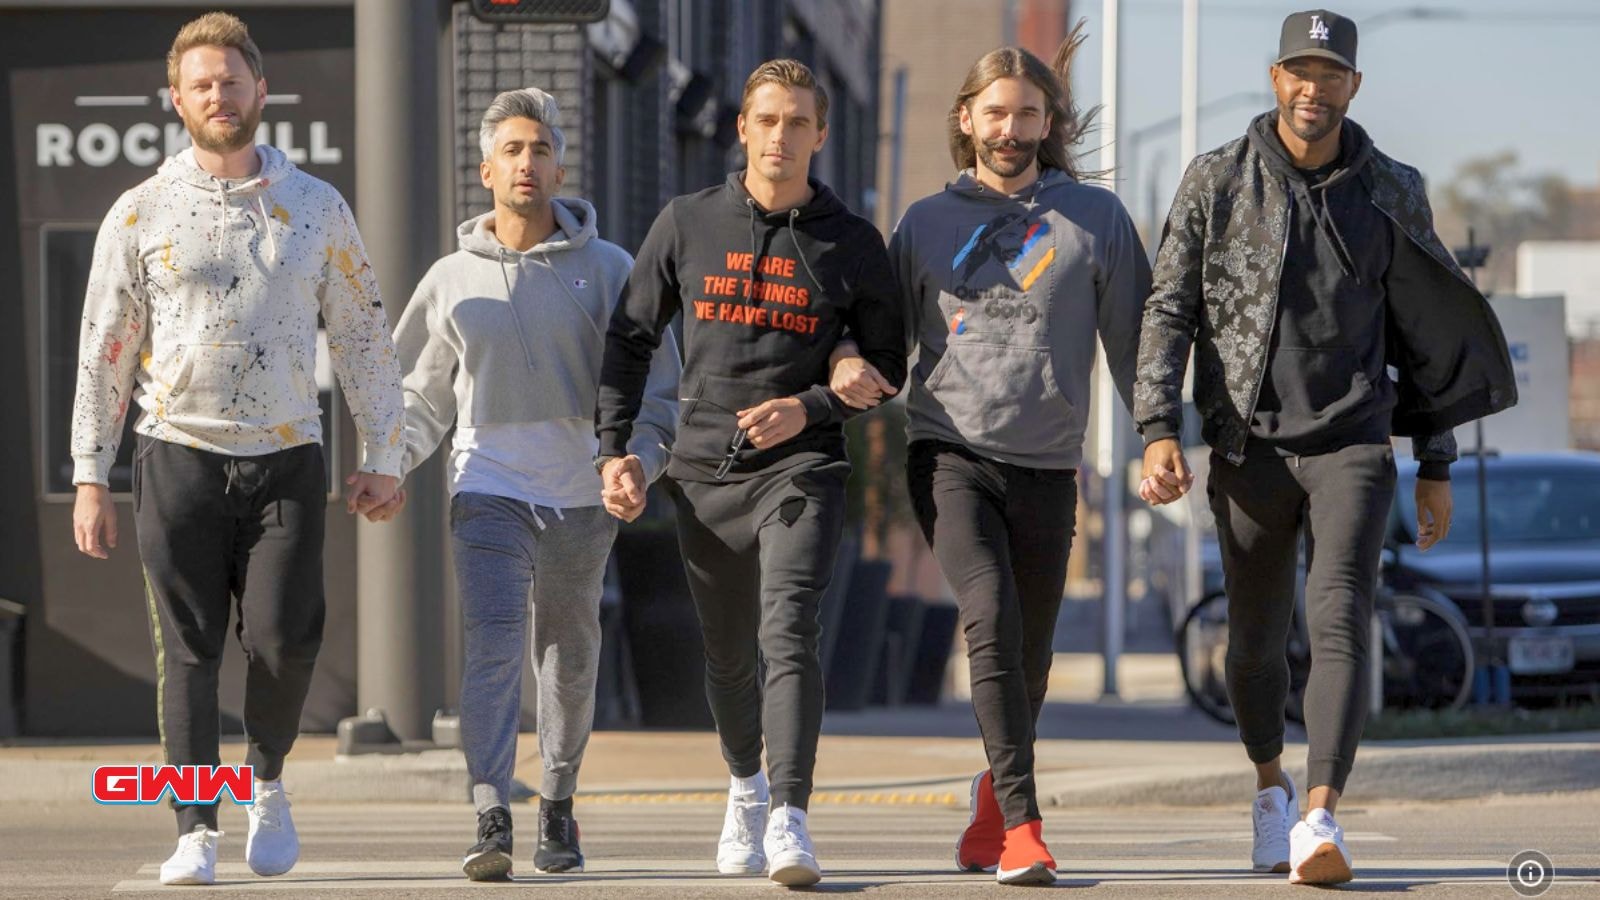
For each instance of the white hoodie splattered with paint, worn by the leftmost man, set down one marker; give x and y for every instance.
(202, 310)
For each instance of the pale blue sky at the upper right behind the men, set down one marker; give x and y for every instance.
(1495, 76)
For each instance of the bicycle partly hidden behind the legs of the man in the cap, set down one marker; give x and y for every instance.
(1423, 645)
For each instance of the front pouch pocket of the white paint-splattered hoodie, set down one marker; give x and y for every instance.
(250, 384)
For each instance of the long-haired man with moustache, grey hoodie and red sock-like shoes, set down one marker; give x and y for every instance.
(1001, 398)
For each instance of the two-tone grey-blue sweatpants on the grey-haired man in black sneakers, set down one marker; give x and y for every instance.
(508, 550)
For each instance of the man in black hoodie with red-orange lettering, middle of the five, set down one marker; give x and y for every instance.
(769, 271)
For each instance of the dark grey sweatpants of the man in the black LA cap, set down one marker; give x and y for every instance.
(1342, 499)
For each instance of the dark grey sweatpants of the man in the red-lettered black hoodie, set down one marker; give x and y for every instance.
(759, 555)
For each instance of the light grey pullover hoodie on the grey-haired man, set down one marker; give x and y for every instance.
(502, 339)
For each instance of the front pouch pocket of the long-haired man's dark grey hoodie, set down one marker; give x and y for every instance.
(1006, 398)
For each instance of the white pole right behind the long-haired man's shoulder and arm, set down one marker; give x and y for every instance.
(1113, 422)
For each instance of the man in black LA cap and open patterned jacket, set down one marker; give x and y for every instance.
(1300, 263)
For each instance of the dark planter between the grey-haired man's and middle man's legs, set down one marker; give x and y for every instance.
(663, 632)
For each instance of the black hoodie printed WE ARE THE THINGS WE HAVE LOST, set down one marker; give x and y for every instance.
(766, 297)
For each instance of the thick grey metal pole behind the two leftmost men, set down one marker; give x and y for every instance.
(398, 182)
